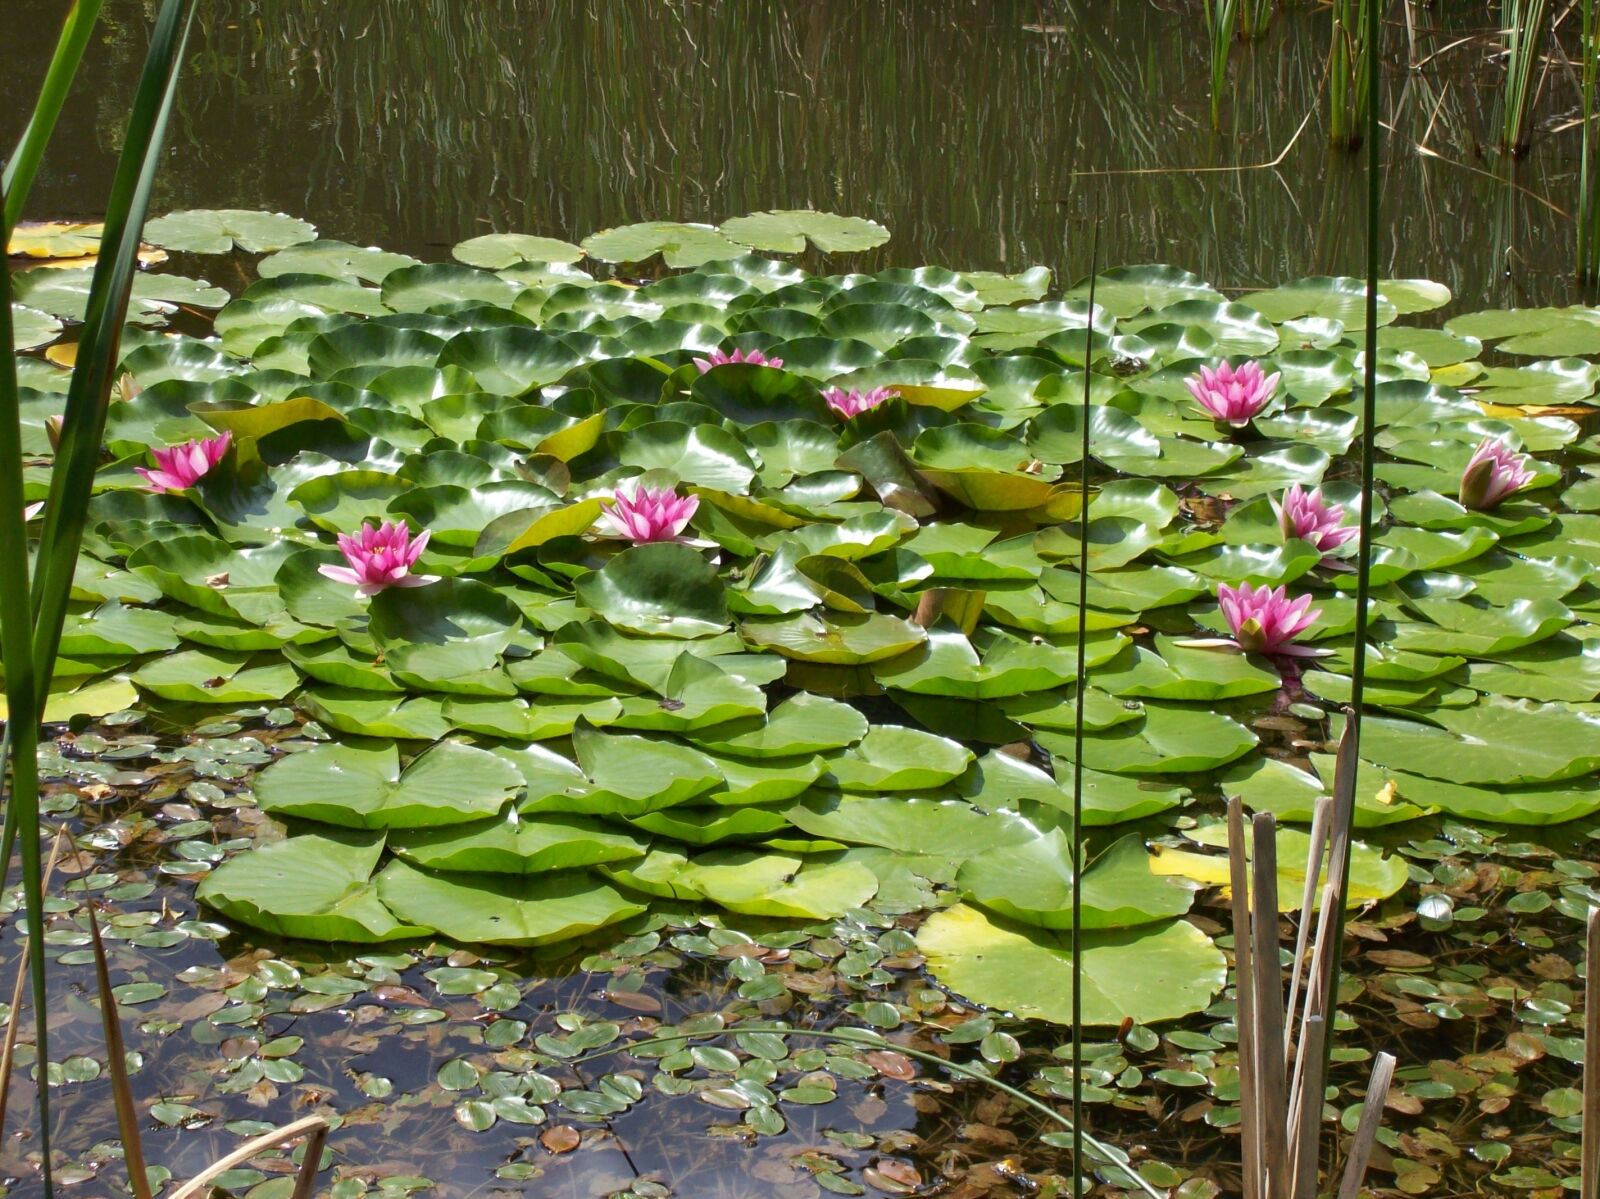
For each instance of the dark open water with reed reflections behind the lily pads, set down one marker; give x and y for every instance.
(985, 134)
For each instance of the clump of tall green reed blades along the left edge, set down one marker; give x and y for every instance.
(34, 601)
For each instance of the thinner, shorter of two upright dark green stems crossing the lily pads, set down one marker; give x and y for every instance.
(1078, 736)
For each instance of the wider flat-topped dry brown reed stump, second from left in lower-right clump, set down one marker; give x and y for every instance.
(1270, 1006)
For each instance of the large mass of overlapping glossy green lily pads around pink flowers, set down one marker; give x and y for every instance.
(852, 680)
